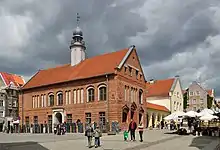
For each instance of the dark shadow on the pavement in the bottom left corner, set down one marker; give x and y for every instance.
(21, 146)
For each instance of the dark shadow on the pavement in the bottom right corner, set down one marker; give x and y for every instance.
(201, 141)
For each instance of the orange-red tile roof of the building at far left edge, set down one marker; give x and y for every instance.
(15, 79)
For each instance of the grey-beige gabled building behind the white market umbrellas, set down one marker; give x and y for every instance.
(197, 97)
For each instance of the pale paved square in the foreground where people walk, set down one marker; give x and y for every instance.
(153, 140)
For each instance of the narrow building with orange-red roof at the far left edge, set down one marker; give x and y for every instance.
(9, 90)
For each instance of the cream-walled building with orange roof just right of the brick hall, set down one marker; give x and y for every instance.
(167, 92)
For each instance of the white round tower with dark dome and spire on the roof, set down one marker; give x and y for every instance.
(77, 47)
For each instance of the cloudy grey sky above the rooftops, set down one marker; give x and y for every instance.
(172, 37)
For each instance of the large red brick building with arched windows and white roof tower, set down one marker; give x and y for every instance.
(104, 88)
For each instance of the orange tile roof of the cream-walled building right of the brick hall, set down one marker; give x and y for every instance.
(159, 87)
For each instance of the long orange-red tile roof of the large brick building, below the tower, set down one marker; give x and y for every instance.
(95, 66)
